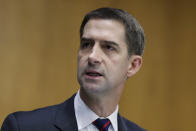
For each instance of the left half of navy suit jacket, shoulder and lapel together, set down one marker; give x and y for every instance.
(49, 118)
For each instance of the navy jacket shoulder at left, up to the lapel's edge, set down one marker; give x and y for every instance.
(30, 120)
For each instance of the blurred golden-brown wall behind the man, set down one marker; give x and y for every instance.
(39, 40)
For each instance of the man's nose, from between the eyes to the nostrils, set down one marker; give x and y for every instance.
(94, 57)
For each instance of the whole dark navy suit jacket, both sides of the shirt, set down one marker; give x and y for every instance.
(54, 118)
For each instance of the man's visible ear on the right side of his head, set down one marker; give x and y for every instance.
(135, 64)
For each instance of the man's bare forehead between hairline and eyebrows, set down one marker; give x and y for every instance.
(105, 29)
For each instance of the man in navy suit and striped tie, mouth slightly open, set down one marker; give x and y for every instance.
(112, 43)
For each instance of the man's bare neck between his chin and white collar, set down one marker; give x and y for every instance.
(102, 105)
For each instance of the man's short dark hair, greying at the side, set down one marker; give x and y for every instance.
(134, 33)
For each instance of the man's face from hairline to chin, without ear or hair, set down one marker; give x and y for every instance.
(102, 58)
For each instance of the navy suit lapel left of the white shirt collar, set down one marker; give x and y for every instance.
(65, 119)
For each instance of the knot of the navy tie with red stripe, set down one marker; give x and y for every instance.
(102, 124)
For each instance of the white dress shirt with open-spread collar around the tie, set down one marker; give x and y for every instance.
(85, 116)
